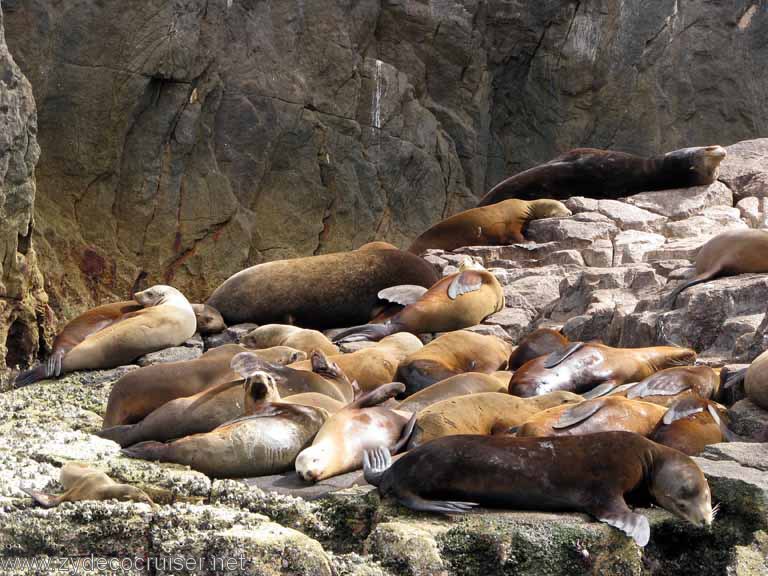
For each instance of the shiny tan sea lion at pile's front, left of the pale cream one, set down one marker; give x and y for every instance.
(260, 444)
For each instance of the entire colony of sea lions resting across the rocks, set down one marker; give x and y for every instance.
(482, 422)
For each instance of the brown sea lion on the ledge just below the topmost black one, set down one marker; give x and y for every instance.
(498, 224)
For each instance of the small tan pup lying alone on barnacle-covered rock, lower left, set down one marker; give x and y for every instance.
(83, 483)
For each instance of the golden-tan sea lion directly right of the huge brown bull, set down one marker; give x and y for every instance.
(457, 301)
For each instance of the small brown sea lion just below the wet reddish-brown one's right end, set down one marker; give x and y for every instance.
(667, 386)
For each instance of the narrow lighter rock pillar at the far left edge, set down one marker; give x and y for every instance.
(24, 315)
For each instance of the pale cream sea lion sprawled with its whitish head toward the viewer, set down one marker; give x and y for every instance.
(359, 426)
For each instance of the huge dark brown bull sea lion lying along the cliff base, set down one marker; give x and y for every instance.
(326, 291)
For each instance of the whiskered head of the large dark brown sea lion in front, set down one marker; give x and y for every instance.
(679, 486)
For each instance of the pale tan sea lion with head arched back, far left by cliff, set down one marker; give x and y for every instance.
(166, 319)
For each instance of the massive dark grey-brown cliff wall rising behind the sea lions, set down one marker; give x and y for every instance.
(185, 140)
